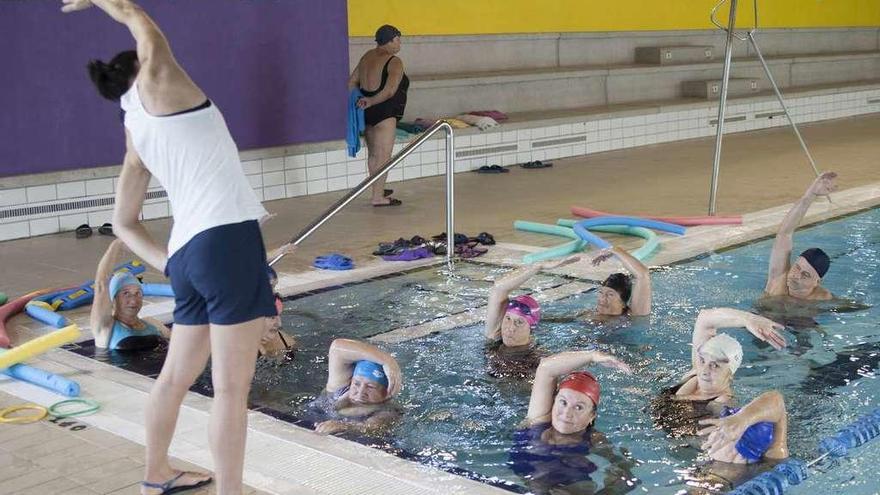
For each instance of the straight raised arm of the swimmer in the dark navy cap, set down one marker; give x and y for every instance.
(780, 256)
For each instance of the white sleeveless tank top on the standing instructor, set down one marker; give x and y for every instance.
(194, 158)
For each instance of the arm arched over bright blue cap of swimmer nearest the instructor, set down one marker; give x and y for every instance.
(345, 352)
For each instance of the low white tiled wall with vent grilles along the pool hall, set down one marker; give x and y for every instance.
(315, 173)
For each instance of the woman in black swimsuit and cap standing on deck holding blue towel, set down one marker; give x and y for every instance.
(379, 75)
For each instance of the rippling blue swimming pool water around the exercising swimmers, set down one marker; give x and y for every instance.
(459, 418)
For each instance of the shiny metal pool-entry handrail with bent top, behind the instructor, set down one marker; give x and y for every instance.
(396, 159)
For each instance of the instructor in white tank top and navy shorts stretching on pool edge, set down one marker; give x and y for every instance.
(215, 257)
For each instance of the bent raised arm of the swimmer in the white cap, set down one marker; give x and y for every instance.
(710, 320)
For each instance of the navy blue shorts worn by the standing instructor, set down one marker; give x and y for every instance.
(220, 277)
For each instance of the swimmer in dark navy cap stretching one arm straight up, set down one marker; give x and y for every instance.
(801, 279)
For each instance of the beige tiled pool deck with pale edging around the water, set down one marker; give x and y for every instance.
(762, 172)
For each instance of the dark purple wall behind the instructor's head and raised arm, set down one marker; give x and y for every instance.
(276, 68)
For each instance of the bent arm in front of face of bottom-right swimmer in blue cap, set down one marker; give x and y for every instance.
(724, 433)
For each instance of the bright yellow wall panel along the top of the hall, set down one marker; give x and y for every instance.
(419, 17)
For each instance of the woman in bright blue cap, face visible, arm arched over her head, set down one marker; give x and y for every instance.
(361, 380)
